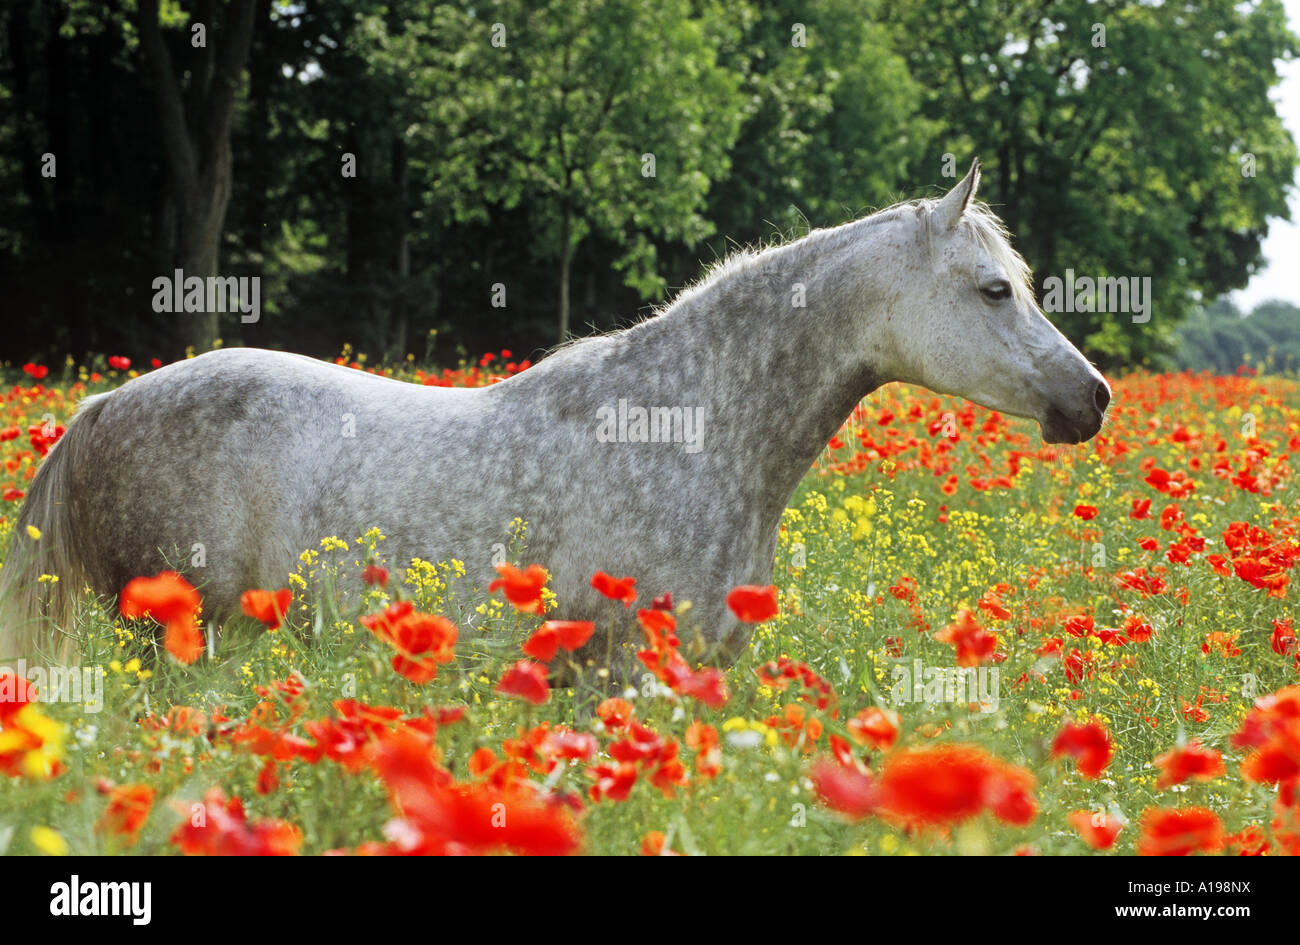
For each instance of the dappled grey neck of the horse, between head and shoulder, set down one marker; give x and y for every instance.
(775, 379)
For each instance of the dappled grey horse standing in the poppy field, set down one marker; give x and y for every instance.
(666, 452)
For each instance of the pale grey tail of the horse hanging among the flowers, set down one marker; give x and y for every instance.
(37, 615)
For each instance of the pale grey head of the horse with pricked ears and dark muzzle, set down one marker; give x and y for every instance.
(972, 327)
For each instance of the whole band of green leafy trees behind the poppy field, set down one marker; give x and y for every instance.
(588, 157)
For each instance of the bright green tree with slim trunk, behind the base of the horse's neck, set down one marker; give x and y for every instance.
(616, 119)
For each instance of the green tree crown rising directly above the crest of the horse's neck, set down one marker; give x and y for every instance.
(831, 123)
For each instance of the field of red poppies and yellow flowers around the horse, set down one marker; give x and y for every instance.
(976, 644)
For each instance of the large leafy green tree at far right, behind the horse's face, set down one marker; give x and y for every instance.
(1120, 140)
